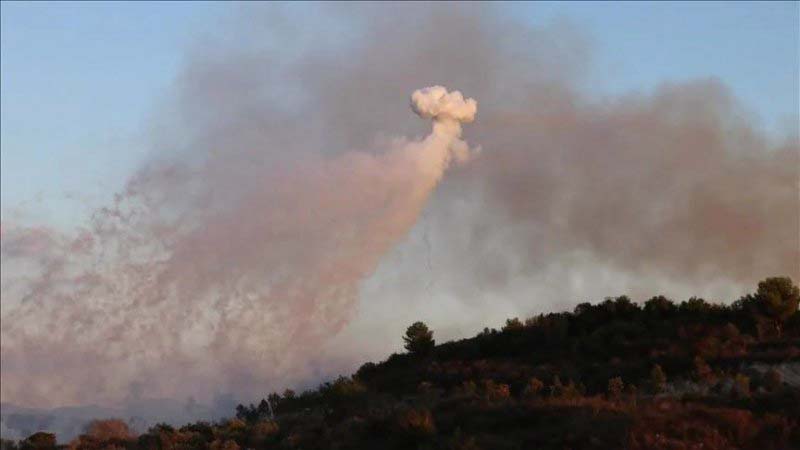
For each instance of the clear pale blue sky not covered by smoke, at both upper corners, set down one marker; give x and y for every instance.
(80, 79)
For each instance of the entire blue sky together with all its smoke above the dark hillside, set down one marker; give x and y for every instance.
(262, 196)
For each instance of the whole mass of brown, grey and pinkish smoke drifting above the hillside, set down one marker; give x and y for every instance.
(267, 216)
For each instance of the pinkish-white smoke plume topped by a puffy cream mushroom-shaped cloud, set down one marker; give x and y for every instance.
(154, 297)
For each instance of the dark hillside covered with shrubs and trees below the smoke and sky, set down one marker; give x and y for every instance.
(612, 375)
